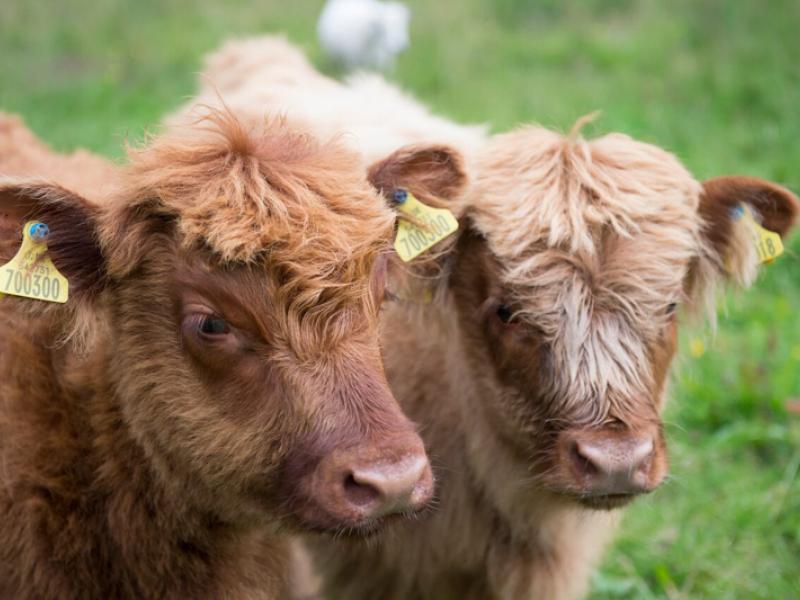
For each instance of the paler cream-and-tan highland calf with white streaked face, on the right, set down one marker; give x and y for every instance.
(538, 370)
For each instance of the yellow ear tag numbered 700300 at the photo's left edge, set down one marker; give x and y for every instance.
(31, 273)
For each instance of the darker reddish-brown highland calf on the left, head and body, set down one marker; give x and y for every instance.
(214, 381)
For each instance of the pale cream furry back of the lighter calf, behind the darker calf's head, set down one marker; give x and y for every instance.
(268, 74)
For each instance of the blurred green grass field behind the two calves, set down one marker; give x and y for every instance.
(717, 82)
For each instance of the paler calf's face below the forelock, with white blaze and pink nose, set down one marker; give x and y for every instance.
(572, 384)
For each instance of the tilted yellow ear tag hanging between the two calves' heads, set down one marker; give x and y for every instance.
(412, 240)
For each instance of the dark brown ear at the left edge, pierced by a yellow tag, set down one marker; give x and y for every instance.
(72, 243)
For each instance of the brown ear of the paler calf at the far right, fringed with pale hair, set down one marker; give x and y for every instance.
(774, 206)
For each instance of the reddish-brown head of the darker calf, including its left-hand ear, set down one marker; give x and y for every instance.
(235, 277)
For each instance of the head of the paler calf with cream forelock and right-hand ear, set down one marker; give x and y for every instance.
(572, 263)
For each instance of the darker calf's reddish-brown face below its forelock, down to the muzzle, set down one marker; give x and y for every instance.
(292, 411)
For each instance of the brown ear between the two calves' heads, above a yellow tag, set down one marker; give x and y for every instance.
(432, 173)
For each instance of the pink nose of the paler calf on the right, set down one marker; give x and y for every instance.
(609, 463)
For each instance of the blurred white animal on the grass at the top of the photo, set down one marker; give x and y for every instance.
(364, 33)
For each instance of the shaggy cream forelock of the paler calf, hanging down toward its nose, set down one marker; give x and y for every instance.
(595, 239)
